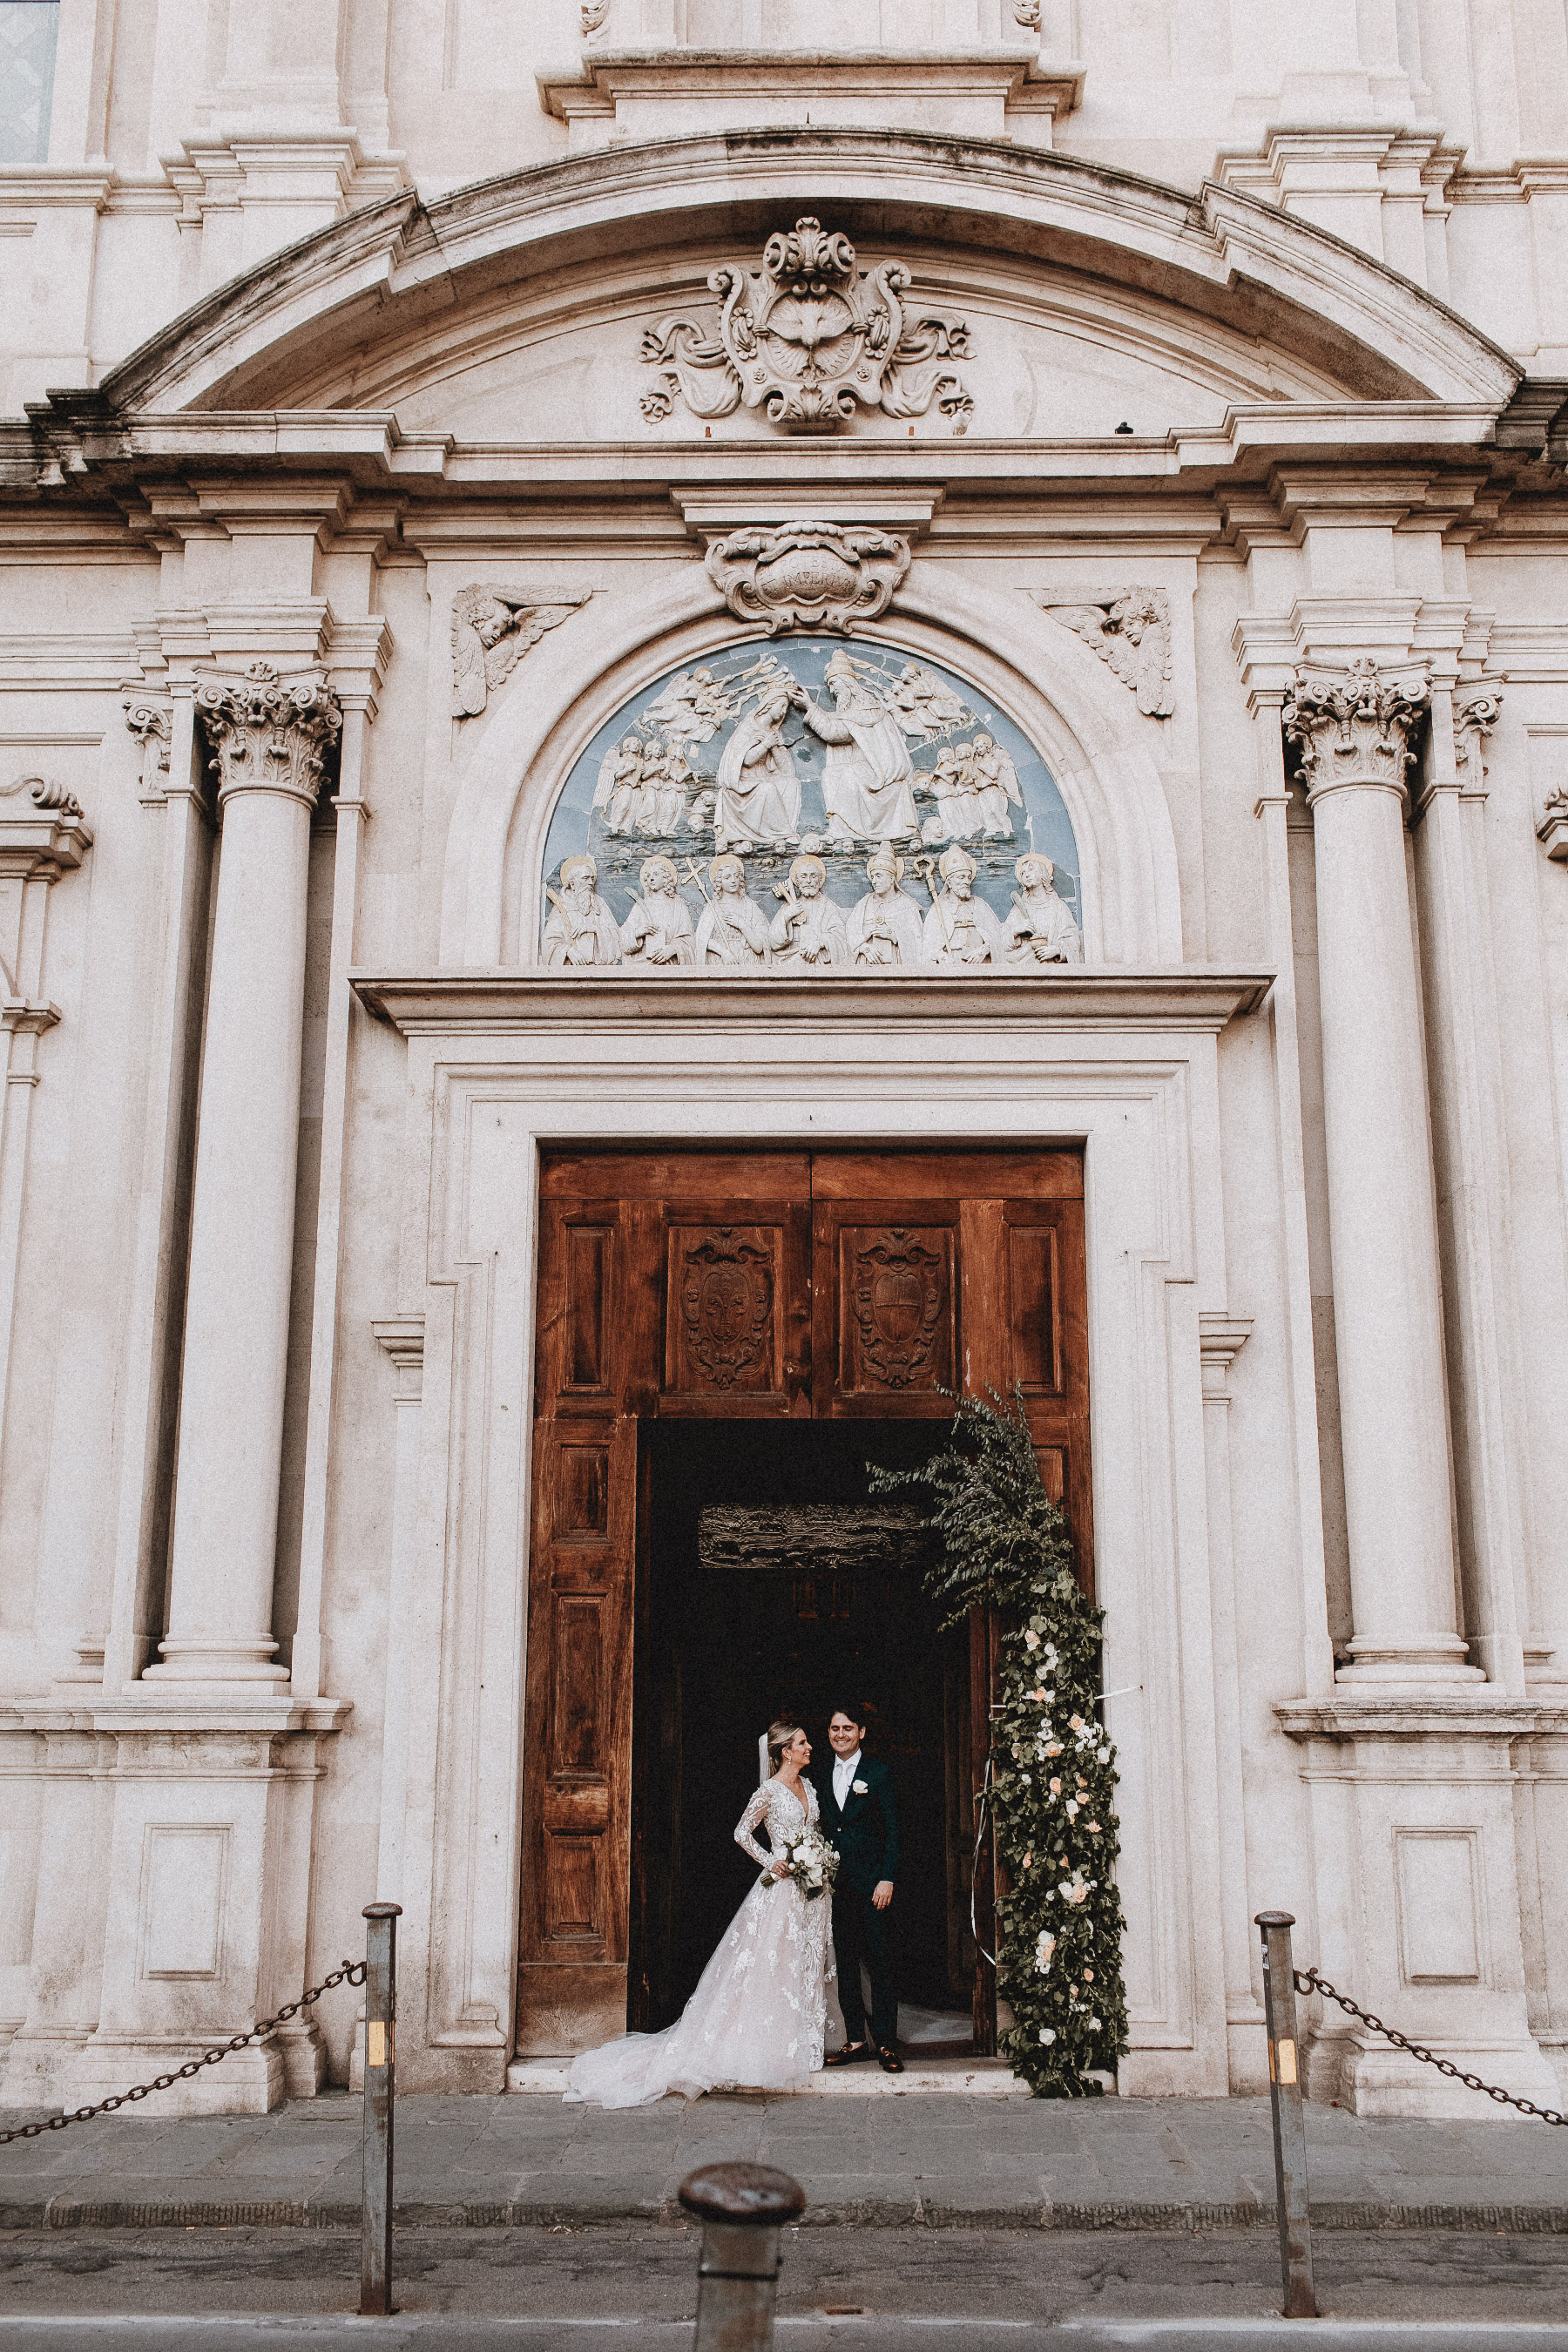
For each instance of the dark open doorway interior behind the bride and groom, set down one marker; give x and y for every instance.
(772, 1584)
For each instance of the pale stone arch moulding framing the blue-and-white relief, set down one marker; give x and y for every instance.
(1047, 683)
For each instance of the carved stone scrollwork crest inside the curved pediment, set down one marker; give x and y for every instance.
(810, 340)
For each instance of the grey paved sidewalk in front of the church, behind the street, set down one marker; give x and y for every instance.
(939, 2160)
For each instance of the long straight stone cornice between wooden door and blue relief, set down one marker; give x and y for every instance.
(1083, 998)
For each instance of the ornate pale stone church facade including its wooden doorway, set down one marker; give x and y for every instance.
(711, 721)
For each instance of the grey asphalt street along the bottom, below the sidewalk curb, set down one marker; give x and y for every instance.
(843, 2287)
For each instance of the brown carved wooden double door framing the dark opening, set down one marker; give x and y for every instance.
(746, 1288)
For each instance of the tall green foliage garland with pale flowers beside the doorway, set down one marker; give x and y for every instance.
(1054, 1770)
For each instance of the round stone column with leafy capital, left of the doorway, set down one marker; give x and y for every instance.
(267, 737)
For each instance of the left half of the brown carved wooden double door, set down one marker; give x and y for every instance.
(666, 1285)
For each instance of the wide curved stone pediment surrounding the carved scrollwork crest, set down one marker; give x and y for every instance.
(485, 314)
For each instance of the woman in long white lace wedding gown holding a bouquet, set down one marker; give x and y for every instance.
(756, 2019)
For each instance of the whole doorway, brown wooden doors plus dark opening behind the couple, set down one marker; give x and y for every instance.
(739, 1332)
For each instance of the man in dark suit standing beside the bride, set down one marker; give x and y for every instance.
(862, 1822)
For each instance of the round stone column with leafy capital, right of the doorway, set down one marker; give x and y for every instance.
(1355, 742)
